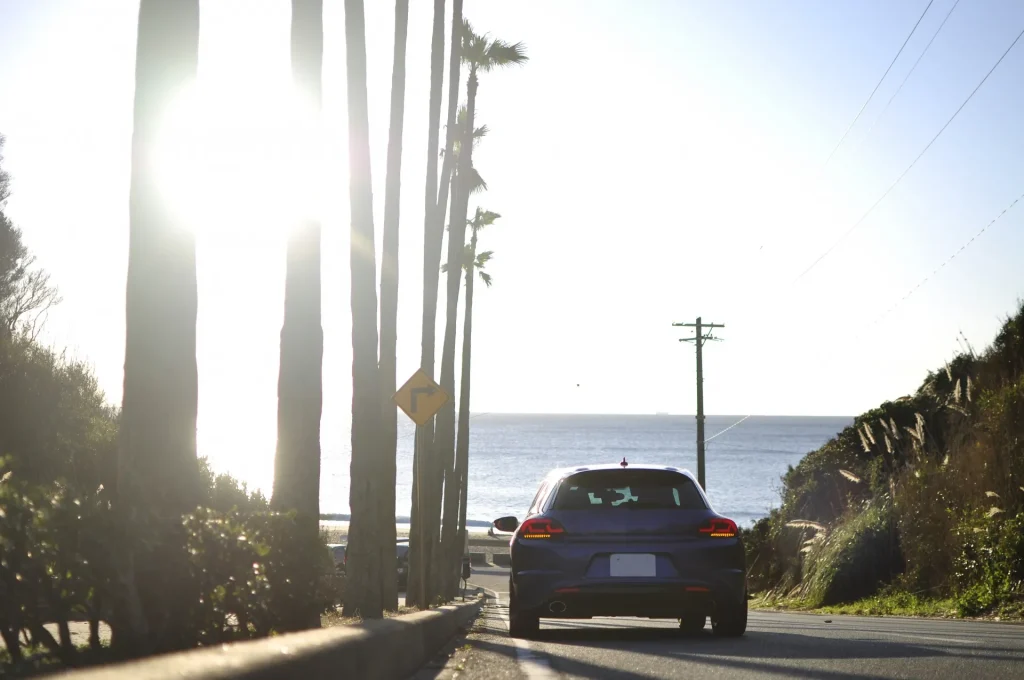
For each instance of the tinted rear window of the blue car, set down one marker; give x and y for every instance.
(628, 490)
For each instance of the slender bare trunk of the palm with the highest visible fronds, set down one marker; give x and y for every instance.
(445, 436)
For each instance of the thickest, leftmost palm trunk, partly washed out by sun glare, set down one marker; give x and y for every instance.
(158, 470)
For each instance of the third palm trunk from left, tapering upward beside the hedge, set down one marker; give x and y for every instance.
(363, 592)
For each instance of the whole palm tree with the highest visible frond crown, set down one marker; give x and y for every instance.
(483, 55)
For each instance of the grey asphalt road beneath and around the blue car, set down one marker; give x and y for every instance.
(787, 646)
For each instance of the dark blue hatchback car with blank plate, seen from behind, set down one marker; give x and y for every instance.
(625, 541)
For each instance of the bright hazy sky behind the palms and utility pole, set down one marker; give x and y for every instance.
(653, 162)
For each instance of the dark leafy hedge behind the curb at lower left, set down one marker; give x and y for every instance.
(247, 573)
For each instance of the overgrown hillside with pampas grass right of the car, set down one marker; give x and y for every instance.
(920, 502)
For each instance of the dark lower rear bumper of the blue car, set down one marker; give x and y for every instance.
(552, 596)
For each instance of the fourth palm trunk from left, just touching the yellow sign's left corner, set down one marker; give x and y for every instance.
(390, 314)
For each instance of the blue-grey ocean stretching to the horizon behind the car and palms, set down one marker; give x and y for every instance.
(510, 454)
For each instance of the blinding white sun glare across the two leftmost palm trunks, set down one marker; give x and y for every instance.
(229, 163)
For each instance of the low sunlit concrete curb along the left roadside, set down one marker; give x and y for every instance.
(387, 649)
